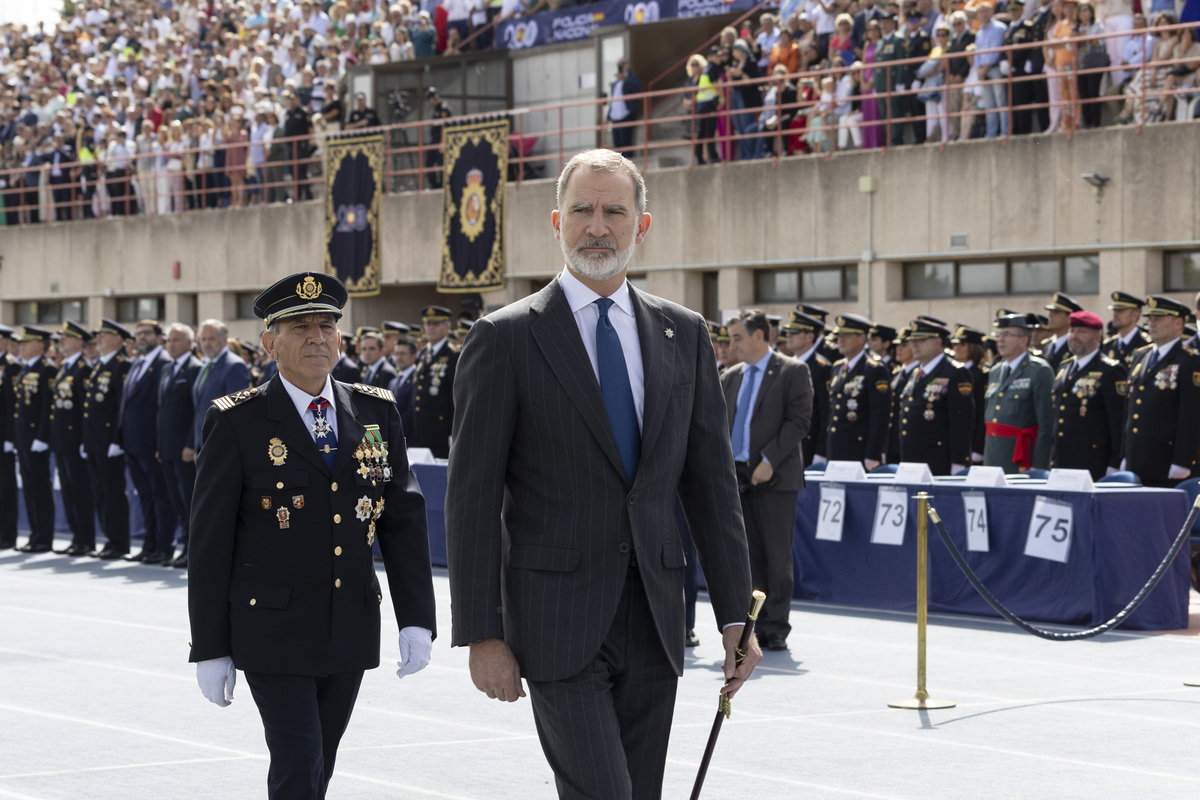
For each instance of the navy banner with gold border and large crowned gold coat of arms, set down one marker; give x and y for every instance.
(477, 163)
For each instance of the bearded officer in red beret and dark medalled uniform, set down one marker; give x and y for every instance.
(1090, 402)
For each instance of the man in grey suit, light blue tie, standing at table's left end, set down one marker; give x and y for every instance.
(769, 401)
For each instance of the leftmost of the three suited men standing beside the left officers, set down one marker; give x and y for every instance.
(140, 440)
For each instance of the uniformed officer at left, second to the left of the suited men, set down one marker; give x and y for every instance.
(67, 440)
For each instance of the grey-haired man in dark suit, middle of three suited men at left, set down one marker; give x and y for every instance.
(177, 432)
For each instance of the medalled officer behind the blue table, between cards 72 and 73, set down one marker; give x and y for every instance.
(860, 398)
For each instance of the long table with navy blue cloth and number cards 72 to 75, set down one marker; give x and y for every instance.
(1120, 537)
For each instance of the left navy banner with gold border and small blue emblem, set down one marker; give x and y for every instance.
(353, 196)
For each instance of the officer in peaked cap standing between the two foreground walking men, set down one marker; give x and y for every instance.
(434, 388)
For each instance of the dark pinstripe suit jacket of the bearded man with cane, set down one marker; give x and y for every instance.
(541, 520)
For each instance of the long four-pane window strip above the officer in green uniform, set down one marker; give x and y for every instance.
(1073, 274)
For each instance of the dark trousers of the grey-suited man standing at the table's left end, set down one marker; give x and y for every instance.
(771, 528)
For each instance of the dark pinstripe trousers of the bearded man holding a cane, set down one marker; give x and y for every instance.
(605, 731)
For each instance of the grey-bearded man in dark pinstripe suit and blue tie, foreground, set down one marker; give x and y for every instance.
(579, 414)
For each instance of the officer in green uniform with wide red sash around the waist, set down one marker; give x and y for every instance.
(1019, 413)
